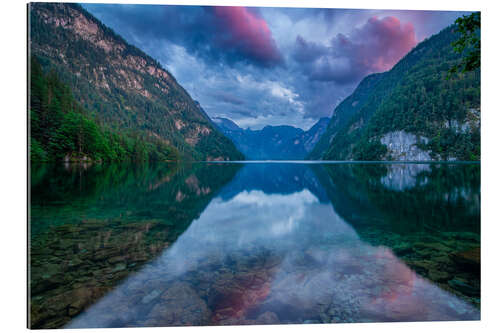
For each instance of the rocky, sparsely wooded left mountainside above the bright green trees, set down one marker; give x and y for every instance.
(120, 85)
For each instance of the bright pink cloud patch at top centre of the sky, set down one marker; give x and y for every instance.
(245, 32)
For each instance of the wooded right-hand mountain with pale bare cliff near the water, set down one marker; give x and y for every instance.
(415, 111)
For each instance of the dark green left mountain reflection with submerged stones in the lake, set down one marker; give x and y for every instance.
(90, 229)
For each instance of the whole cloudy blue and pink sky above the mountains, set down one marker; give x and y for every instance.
(263, 66)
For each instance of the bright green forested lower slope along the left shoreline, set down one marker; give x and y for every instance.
(61, 129)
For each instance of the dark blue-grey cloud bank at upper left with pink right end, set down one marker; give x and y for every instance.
(229, 34)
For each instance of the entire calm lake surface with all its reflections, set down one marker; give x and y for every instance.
(253, 243)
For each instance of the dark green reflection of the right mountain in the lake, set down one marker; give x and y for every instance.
(434, 226)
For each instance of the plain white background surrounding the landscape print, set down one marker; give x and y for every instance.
(13, 166)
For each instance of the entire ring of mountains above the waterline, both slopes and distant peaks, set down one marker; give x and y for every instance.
(95, 97)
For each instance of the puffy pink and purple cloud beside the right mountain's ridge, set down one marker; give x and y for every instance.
(374, 47)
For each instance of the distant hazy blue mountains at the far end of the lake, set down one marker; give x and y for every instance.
(273, 142)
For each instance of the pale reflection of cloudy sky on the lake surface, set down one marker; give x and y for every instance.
(272, 258)
